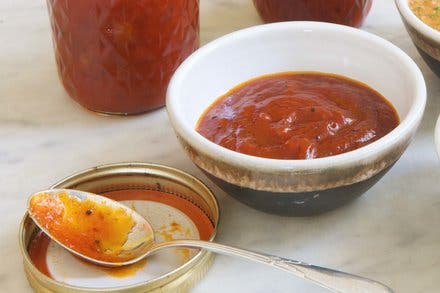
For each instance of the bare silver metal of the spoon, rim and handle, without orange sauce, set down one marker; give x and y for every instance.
(142, 244)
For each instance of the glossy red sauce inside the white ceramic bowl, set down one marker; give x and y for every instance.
(298, 115)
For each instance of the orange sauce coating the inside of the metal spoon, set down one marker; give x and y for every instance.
(93, 229)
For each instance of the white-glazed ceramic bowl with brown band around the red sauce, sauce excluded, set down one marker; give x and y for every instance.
(295, 187)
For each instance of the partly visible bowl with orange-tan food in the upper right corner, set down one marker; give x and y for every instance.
(421, 26)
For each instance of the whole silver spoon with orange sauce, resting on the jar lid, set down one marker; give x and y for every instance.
(107, 233)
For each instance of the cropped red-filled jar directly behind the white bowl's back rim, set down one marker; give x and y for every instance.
(347, 12)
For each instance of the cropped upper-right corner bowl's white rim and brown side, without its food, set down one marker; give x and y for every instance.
(425, 38)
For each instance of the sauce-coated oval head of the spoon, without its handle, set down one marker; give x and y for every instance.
(98, 229)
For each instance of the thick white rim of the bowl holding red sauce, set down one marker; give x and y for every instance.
(363, 154)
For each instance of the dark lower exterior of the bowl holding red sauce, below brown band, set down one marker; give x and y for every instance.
(300, 203)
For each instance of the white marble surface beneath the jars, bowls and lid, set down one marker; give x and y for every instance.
(391, 234)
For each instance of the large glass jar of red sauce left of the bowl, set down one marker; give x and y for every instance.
(118, 56)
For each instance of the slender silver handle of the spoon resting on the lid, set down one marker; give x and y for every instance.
(333, 280)
